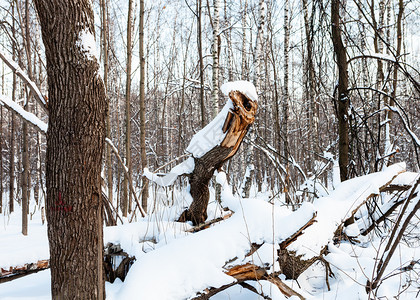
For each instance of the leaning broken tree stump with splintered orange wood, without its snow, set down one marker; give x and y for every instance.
(236, 126)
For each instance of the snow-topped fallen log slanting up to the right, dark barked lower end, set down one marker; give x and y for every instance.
(333, 213)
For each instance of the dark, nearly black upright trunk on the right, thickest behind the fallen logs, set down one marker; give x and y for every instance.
(341, 99)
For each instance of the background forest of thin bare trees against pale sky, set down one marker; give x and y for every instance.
(324, 104)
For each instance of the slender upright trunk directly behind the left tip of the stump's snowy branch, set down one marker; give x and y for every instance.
(145, 193)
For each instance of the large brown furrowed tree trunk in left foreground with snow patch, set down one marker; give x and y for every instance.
(75, 143)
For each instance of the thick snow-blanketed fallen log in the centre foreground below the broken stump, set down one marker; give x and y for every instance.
(200, 261)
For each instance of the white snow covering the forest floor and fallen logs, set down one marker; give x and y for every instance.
(175, 264)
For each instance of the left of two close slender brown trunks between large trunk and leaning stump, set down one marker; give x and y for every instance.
(126, 202)
